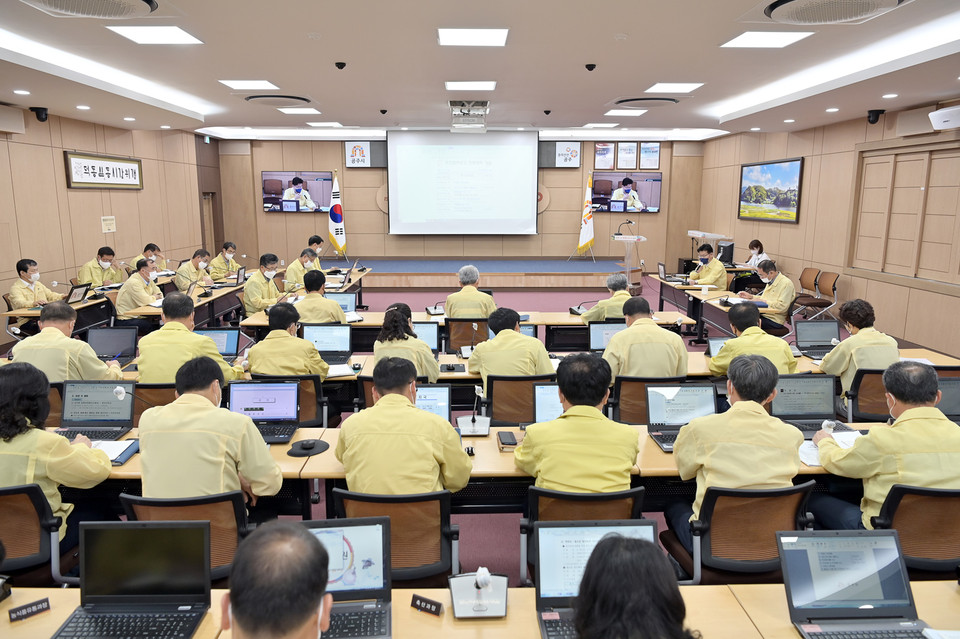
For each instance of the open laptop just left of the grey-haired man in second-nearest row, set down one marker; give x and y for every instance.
(672, 406)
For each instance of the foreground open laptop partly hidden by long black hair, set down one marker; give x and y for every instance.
(563, 548)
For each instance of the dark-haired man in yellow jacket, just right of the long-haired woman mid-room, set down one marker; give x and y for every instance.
(510, 352)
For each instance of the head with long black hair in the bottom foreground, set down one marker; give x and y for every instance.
(628, 589)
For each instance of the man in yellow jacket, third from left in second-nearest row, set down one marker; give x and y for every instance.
(393, 447)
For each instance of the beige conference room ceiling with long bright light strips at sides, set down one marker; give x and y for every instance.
(394, 63)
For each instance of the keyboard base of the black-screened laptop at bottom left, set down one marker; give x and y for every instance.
(85, 624)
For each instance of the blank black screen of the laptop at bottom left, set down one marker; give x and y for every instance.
(131, 562)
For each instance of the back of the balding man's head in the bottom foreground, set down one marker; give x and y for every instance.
(278, 579)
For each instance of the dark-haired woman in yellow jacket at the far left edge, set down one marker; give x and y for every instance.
(32, 455)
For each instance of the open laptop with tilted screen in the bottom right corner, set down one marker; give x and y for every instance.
(847, 581)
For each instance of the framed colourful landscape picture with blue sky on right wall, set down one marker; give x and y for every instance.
(770, 191)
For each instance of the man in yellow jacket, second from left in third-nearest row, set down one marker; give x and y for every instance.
(163, 352)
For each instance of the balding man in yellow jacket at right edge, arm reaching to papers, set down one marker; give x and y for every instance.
(921, 448)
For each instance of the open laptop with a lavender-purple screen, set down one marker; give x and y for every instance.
(274, 407)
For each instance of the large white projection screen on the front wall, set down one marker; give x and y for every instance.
(443, 183)
